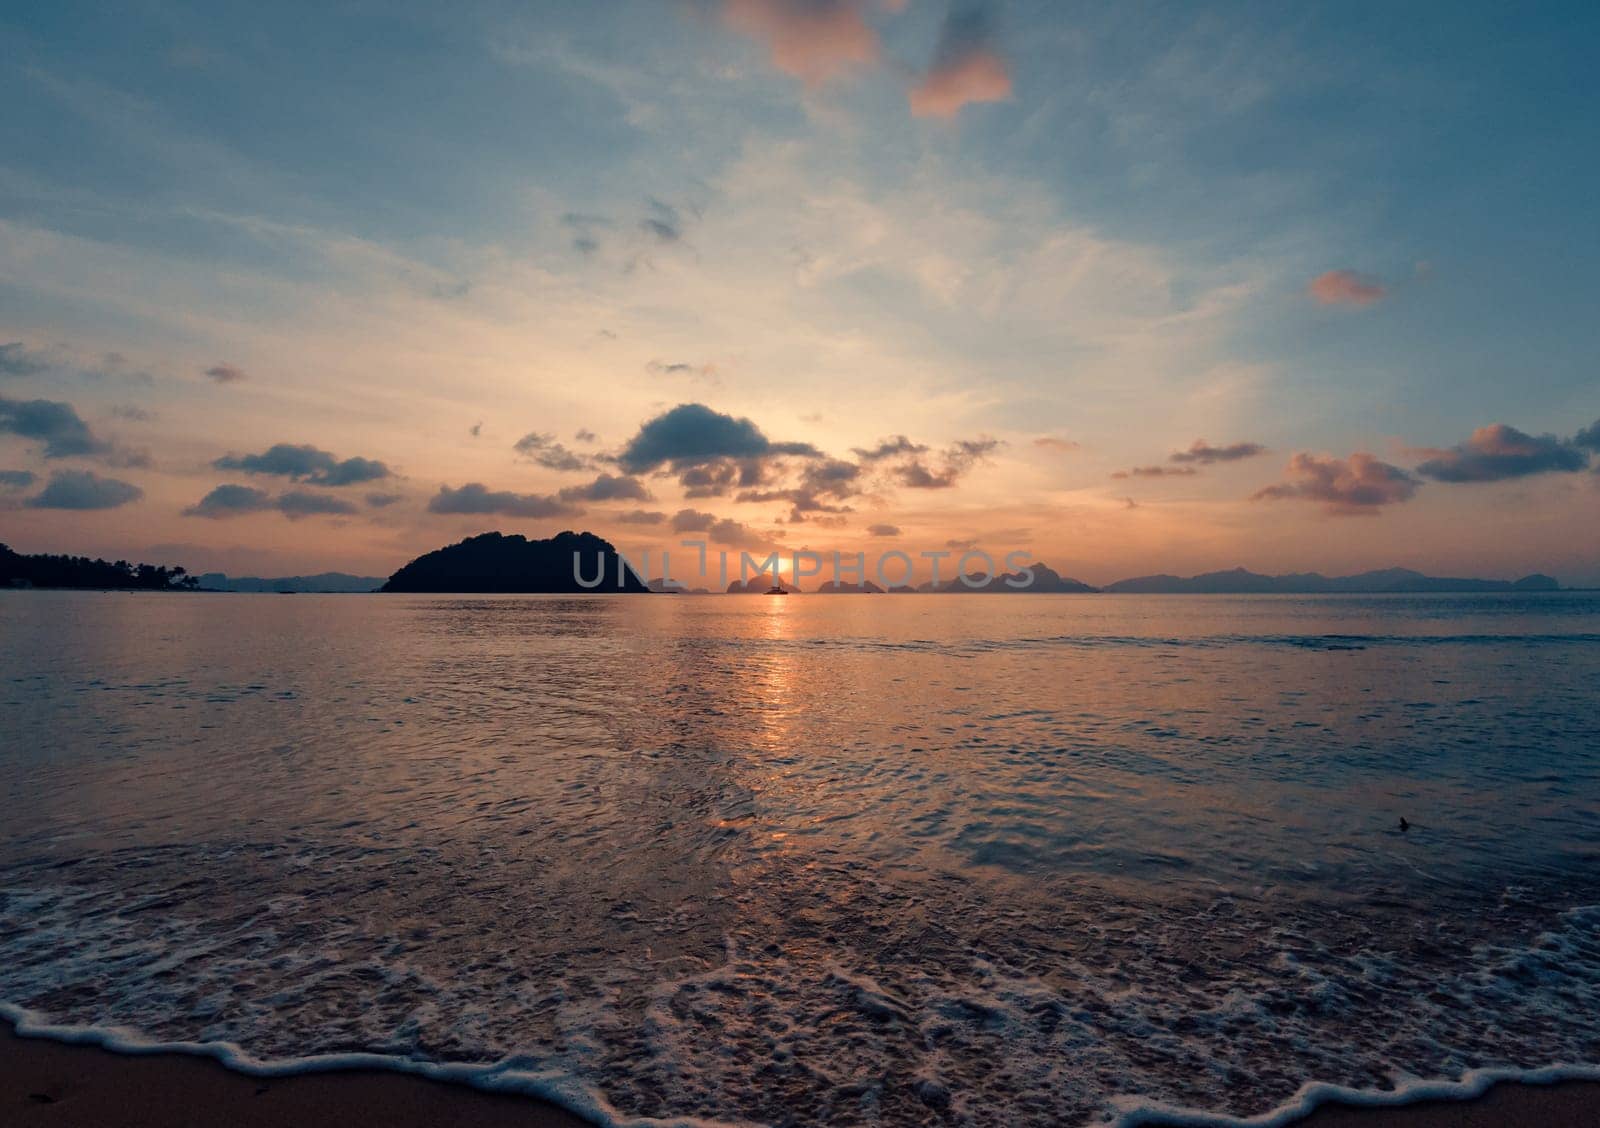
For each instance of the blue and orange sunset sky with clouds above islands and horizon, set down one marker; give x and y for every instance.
(1126, 287)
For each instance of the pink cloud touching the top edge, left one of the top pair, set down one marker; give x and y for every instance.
(814, 41)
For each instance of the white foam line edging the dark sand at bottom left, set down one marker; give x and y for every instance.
(514, 1076)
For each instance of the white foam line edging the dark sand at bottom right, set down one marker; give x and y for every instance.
(1473, 1084)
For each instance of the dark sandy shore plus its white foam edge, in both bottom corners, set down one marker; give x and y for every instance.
(74, 1078)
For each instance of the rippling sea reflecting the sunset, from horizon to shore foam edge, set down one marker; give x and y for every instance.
(855, 860)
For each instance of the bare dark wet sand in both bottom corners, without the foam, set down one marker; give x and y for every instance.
(52, 1084)
